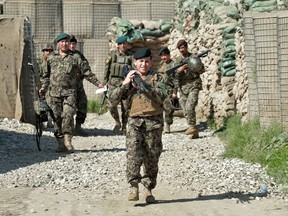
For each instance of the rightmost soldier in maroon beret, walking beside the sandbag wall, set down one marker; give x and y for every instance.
(189, 84)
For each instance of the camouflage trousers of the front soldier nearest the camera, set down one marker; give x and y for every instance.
(144, 147)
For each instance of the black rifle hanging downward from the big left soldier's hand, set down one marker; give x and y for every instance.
(41, 112)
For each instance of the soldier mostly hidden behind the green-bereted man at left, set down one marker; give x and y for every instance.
(81, 100)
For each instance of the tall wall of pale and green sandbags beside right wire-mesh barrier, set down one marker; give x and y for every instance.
(217, 25)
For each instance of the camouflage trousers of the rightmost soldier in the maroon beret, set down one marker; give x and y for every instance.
(188, 103)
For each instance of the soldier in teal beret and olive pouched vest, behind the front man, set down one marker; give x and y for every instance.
(114, 74)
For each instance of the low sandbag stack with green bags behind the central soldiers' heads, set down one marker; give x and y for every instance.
(141, 33)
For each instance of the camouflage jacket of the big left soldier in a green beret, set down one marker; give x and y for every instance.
(61, 74)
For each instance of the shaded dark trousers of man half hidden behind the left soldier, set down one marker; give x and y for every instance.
(81, 104)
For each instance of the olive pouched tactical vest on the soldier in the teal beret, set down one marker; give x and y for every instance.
(118, 62)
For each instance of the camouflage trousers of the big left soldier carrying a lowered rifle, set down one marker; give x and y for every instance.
(64, 111)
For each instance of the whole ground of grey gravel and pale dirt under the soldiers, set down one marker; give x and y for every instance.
(92, 180)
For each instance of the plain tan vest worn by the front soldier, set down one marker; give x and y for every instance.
(142, 106)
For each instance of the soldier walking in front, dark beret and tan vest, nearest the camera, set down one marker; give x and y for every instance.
(145, 124)
